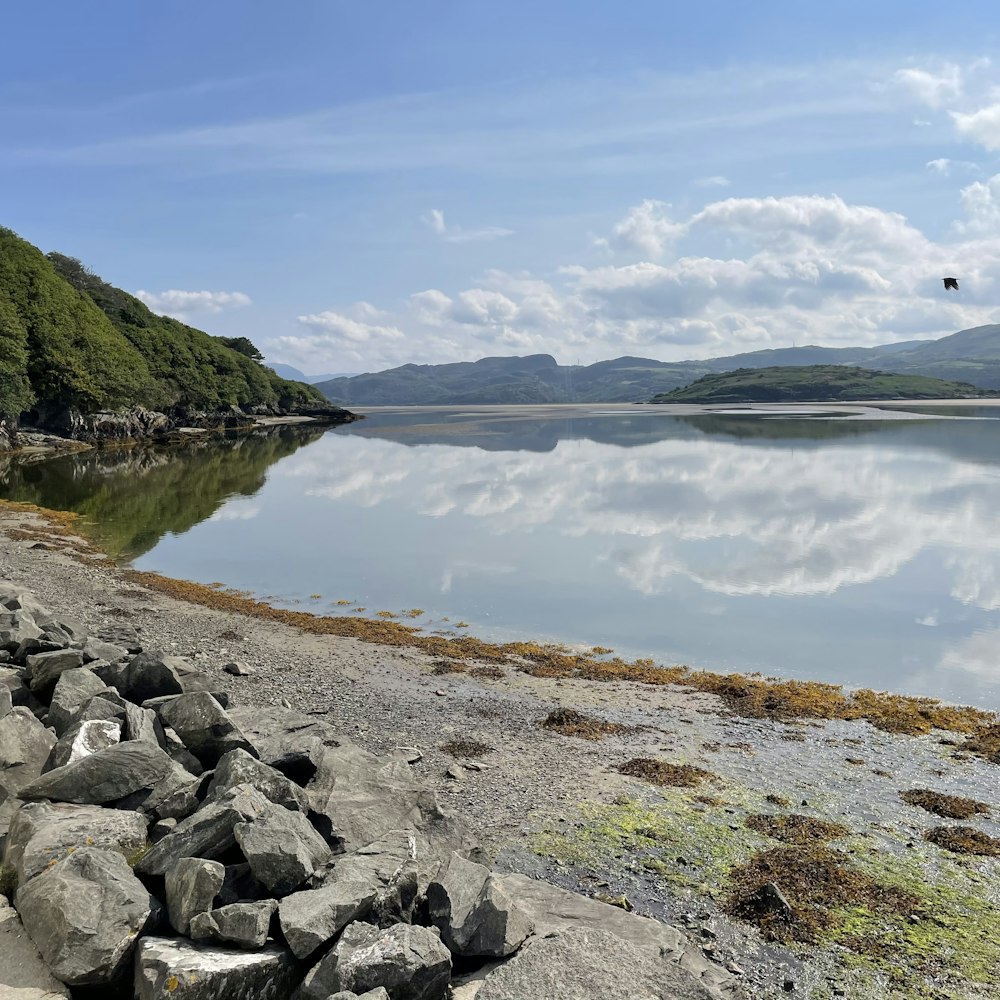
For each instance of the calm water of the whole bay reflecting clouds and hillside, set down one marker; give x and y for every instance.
(865, 552)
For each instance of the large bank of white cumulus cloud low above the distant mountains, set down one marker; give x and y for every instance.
(737, 274)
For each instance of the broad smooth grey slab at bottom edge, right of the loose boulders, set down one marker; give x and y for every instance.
(589, 962)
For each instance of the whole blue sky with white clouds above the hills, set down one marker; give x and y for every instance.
(358, 186)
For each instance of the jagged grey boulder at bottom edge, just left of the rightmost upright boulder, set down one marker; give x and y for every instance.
(410, 962)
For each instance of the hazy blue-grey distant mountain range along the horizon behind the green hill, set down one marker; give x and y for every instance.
(971, 356)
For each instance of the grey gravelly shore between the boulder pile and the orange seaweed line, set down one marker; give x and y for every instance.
(555, 805)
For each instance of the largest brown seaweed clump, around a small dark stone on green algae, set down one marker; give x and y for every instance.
(794, 893)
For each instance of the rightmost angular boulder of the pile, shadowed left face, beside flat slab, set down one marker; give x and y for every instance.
(476, 917)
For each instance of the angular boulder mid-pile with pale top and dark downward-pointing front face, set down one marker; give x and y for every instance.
(282, 848)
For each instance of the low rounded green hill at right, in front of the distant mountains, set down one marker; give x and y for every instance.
(815, 383)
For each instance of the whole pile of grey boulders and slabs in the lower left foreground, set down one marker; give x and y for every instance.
(160, 841)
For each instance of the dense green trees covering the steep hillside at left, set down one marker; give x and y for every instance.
(70, 340)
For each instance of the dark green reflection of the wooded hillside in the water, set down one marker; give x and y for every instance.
(133, 497)
